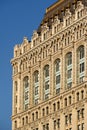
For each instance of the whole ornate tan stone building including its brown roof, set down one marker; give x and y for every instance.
(50, 71)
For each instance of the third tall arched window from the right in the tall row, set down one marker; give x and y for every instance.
(57, 76)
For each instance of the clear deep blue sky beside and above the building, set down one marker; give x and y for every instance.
(18, 18)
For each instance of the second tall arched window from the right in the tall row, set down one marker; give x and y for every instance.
(68, 70)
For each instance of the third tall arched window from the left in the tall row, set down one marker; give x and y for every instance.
(46, 82)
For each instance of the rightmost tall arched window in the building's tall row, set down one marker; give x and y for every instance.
(80, 64)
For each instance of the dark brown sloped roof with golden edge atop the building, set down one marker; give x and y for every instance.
(56, 9)
